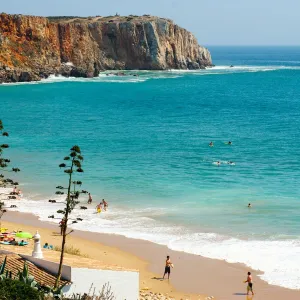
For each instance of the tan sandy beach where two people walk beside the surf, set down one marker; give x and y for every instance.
(192, 276)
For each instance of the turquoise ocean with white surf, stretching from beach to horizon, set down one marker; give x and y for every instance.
(145, 145)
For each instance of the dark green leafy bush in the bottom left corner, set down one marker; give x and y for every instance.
(16, 290)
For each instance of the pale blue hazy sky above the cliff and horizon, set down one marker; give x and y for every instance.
(214, 22)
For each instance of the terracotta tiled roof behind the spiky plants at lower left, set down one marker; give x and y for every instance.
(15, 263)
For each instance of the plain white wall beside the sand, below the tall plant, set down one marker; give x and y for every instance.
(124, 285)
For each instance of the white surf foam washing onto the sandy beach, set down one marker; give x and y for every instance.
(278, 259)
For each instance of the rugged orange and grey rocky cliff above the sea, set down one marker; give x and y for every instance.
(32, 48)
